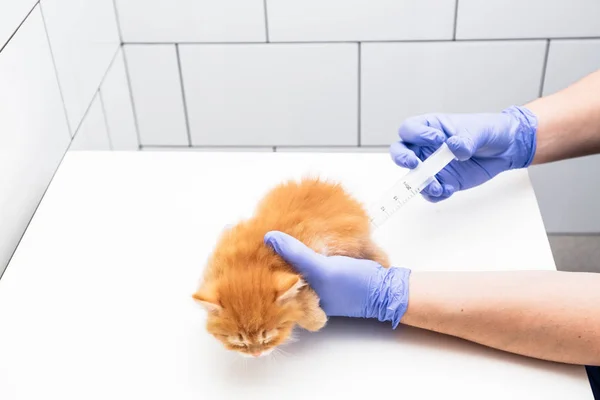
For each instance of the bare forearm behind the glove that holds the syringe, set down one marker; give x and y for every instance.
(568, 121)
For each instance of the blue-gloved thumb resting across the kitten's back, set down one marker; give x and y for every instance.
(294, 252)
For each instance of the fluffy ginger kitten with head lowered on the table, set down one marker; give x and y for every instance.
(253, 298)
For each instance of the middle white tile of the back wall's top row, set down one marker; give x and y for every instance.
(350, 20)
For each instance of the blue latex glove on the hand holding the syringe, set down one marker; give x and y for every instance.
(485, 144)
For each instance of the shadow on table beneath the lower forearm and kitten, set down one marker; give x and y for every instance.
(346, 333)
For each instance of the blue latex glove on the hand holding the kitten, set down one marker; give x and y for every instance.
(347, 286)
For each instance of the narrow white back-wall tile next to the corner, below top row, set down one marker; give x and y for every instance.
(156, 87)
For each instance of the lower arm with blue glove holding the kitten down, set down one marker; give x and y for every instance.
(542, 314)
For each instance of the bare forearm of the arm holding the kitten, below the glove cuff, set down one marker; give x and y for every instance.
(543, 314)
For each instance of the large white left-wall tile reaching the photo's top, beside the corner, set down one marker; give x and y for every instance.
(84, 39)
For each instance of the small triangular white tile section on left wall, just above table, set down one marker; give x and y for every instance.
(92, 133)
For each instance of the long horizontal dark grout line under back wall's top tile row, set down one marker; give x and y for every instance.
(375, 41)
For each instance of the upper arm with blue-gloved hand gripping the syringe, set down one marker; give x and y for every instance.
(559, 126)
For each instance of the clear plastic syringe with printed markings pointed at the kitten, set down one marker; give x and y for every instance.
(409, 186)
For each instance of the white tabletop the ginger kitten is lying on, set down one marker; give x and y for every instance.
(96, 301)
